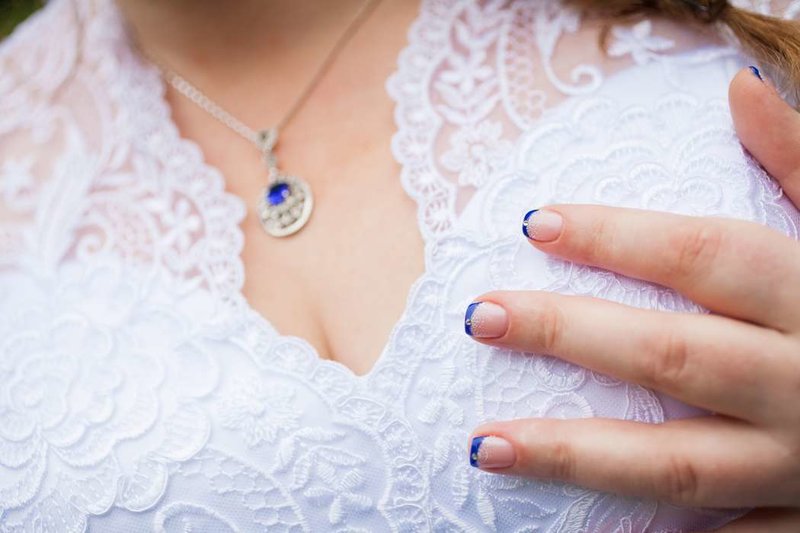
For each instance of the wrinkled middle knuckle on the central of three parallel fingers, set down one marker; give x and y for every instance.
(665, 365)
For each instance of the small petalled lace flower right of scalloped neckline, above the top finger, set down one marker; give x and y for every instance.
(476, 152)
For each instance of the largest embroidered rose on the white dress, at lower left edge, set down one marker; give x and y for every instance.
(72, 395)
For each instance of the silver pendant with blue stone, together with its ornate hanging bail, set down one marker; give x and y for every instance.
(286, 203)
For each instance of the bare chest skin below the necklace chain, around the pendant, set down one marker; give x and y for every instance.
(342, 282)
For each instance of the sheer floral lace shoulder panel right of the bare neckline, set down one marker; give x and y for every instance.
(493, 69)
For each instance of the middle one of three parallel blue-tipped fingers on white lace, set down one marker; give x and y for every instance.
(709, 361)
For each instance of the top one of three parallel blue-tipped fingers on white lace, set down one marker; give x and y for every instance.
(735, 268)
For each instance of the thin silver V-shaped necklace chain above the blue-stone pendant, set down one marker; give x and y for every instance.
(265, 140)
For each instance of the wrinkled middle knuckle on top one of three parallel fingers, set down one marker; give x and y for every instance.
(696, 246)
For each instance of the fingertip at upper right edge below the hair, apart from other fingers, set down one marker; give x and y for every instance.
(769, 128)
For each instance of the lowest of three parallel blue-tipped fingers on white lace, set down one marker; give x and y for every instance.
(708, 462)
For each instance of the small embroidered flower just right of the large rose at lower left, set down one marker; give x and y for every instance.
(260, 411)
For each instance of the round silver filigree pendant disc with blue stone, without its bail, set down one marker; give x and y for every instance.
(285, 205)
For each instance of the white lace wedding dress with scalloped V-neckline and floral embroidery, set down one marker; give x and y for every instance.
(139, 391)
